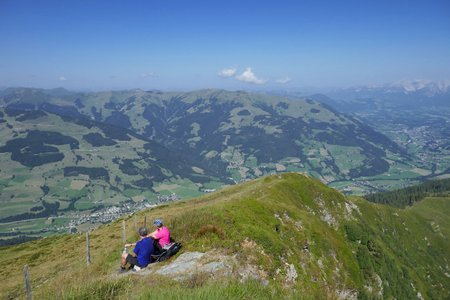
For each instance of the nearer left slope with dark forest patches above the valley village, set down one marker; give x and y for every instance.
(64, 168)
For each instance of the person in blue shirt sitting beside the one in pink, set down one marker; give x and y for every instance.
(142, 251)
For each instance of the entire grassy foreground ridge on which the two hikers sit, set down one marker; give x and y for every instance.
(301, 239)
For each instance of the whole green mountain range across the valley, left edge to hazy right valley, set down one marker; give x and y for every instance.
(75, 151)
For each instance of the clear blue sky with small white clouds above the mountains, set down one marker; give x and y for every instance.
(185, 45)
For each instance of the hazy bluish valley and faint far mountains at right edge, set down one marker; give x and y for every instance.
(416, 115)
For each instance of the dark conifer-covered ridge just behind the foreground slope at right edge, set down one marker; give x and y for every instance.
(410, 195)
